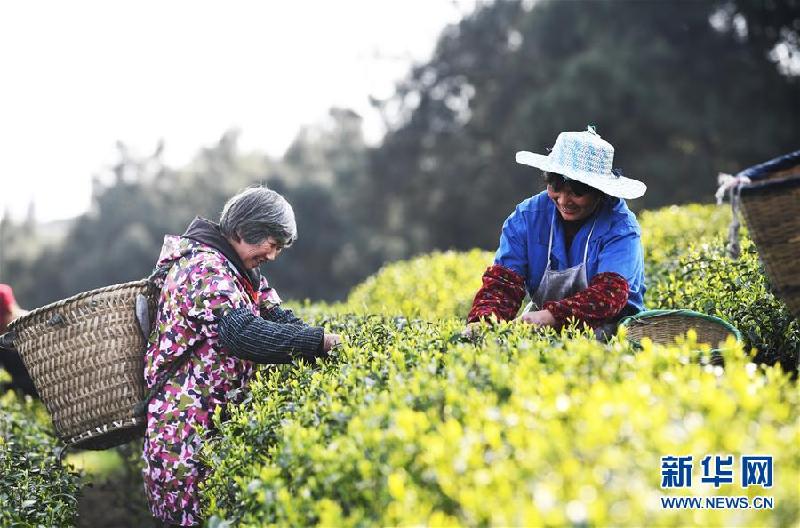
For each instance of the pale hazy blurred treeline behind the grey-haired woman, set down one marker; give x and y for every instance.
(140, 200)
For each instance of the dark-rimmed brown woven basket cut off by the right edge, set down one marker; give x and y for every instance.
(771, 208)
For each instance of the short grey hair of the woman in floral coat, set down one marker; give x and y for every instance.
(257, 213)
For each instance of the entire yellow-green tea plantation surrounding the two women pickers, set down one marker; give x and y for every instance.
(409, 423)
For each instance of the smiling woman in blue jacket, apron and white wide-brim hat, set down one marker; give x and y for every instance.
(575, 248)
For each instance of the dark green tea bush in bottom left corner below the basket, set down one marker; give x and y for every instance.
(35, 488)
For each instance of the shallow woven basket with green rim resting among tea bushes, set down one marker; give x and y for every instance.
(663, 326)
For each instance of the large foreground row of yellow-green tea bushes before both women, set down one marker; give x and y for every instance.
(409, 425)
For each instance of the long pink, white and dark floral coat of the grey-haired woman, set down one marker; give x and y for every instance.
(201, 286)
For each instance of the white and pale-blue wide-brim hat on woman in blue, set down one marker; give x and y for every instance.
(587, 158)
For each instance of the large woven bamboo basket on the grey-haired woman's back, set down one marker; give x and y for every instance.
(85, 355)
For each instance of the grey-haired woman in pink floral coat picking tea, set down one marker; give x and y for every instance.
(216, 318)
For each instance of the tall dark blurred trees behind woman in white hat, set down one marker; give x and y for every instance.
(680, 100)
